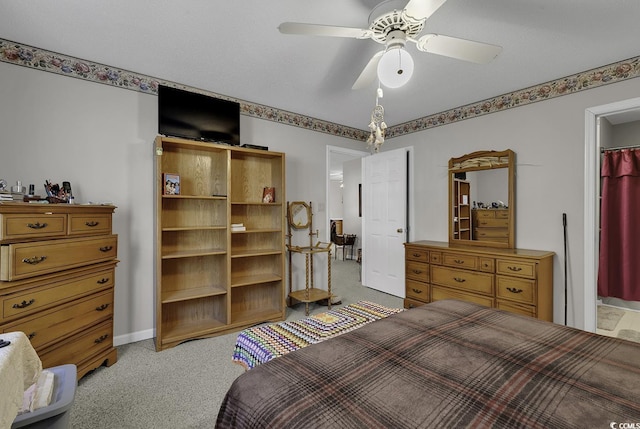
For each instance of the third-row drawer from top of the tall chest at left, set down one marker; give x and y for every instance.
(28, 302)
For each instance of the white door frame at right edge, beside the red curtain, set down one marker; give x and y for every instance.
(615, 113)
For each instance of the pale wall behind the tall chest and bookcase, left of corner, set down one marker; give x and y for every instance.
(100, 138)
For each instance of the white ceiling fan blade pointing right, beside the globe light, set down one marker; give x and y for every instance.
(462, 49)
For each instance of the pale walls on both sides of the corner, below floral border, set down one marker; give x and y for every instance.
(100, 138)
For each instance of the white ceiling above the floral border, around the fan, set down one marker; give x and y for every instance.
(233, 48)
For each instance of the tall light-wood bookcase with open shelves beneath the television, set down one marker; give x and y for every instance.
(211, 280)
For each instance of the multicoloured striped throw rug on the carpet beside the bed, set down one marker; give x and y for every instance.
(262, 343)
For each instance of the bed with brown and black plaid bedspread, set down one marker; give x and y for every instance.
(445, 364)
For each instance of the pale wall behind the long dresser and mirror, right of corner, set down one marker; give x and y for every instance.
(549, 142)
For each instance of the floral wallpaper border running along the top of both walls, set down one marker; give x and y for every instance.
(40, 59)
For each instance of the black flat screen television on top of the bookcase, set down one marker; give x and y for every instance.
(196, 116)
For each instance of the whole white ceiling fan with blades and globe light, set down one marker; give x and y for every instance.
(392, 25)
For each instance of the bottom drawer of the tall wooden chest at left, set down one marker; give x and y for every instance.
(80, 347)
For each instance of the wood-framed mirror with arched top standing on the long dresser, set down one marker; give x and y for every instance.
(482, 199)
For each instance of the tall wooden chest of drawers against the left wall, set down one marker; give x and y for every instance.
(57, 266)
